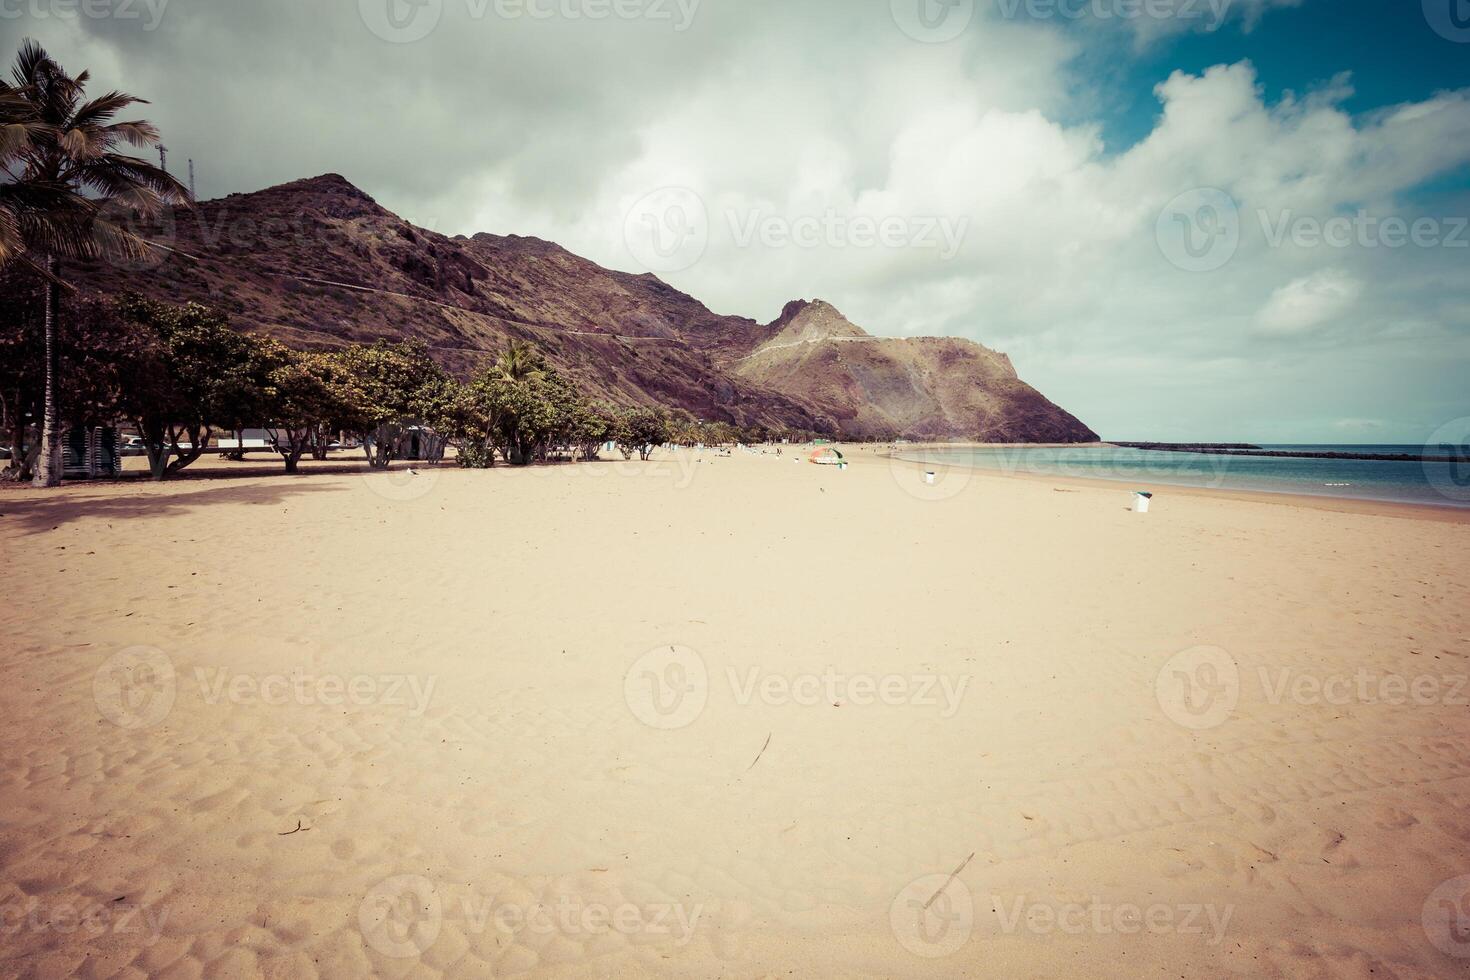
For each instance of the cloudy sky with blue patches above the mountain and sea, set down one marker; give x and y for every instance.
(1184, 220)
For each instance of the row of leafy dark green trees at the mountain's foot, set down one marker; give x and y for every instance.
(182, 374)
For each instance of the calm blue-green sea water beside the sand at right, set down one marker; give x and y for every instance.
(1430, 483)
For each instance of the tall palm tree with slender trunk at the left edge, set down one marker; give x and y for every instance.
(64, 180)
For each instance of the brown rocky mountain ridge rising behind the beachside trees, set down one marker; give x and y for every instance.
(320, 264)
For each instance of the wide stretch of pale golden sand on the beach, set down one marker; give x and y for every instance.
(728, 718)
